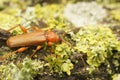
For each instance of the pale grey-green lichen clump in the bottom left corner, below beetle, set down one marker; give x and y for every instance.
(26, 70)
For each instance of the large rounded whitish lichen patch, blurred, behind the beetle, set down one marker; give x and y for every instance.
(84, 13)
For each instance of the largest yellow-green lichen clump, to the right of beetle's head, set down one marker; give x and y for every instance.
(97, 42)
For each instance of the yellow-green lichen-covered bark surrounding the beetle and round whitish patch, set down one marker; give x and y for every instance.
(89, 52)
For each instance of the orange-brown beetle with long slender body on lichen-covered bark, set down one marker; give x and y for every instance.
(27, 39)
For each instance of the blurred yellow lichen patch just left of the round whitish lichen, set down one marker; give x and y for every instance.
(48, 11)
